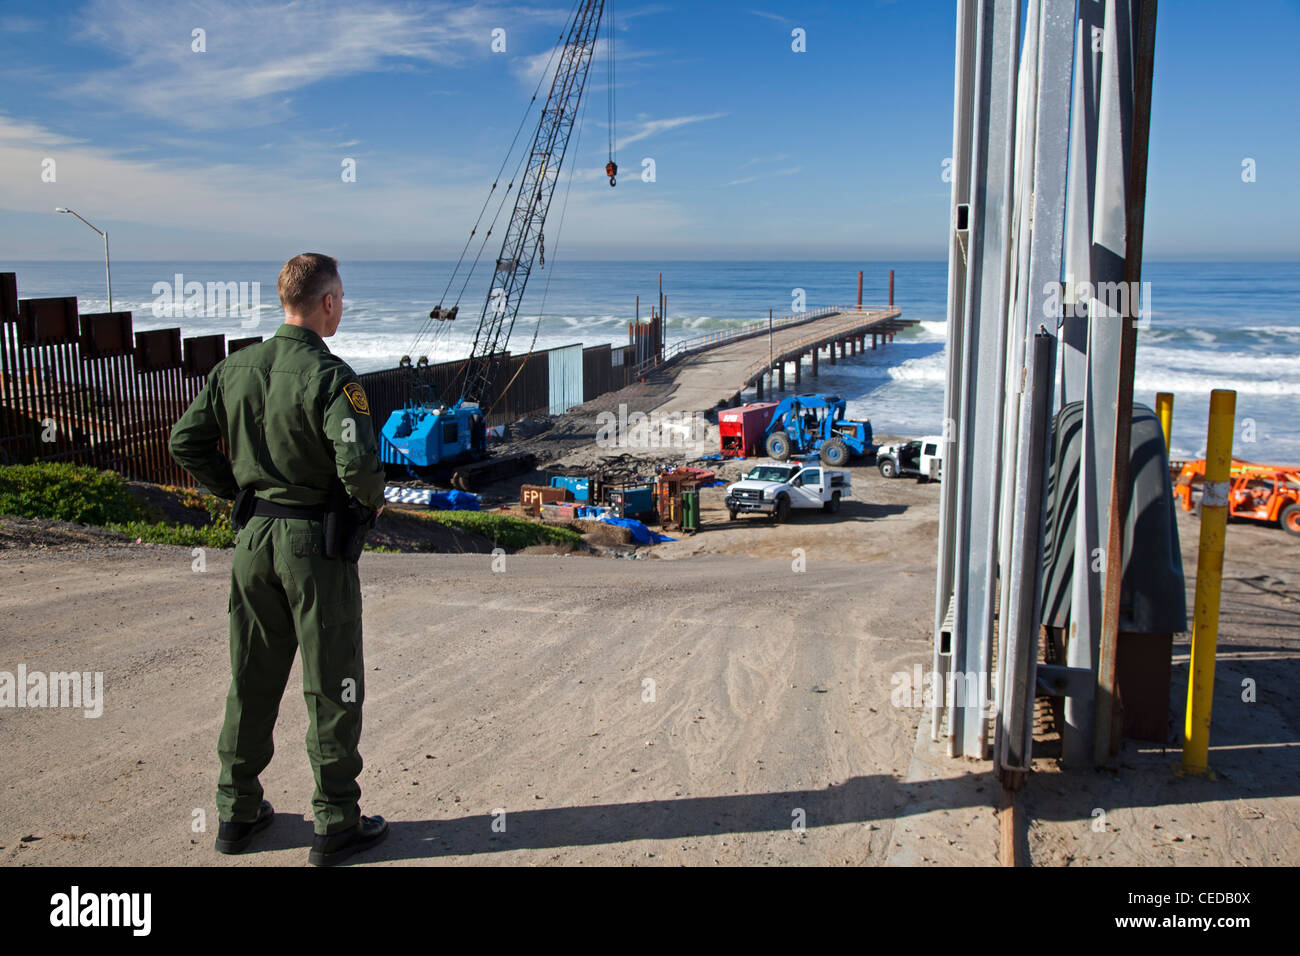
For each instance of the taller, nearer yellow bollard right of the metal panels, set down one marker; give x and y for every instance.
(1210, 578)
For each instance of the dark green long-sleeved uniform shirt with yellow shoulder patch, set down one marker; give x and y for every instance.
(293, 416)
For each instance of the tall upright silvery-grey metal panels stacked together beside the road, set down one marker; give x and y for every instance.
(1043, 131)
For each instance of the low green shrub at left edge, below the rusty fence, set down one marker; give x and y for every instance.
(67, 494)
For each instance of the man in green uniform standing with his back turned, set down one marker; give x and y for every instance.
(305, 473)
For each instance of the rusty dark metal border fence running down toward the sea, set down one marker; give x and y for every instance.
(86, 390)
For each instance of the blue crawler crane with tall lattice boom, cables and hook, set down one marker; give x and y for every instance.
(427, 439)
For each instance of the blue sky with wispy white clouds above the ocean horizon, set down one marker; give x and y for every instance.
(760, 153)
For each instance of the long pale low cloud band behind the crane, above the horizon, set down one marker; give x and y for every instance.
(198, 210)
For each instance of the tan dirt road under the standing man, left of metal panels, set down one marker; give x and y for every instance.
(522, 691)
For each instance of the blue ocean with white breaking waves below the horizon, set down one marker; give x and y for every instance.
(1212, 326)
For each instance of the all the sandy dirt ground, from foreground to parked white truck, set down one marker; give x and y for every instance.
(725, 699)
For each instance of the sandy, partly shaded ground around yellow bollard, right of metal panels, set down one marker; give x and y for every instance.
(1249, 811)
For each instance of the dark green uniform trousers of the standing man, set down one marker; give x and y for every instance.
(287, 595)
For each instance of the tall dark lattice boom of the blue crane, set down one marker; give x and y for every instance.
(525, 232)
